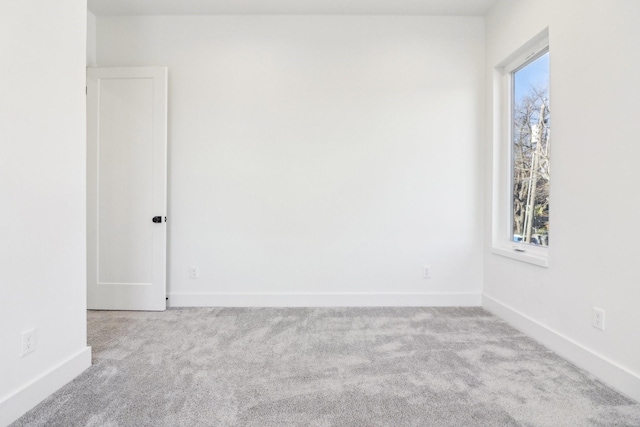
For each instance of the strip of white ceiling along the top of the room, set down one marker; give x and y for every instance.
(291, 7)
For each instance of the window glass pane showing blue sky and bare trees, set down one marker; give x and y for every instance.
(530, 131)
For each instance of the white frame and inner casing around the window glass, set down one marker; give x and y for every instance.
(502, 212)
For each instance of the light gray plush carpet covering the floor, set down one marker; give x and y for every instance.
(325, 367)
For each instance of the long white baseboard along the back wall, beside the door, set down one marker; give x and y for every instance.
(324, 299)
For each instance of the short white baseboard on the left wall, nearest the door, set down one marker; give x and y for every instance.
(24, 399)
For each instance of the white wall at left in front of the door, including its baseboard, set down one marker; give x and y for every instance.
(42, 188)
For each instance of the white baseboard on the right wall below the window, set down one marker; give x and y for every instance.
(604, 369)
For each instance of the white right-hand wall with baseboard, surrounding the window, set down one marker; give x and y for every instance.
(594, 249)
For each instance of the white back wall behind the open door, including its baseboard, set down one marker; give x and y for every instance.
(318, 155)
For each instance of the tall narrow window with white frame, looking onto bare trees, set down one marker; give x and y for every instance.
(522, 129)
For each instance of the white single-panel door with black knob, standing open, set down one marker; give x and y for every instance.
(126, 188)
